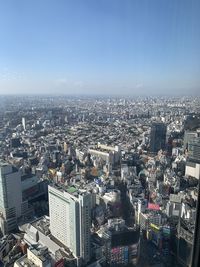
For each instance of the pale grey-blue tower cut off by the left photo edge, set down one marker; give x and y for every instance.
(10, 197)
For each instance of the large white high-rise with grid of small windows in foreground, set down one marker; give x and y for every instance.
(70, 219)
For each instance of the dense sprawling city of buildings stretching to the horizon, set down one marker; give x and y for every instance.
(98, 181)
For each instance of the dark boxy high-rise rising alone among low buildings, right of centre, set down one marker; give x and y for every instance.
(157, 137)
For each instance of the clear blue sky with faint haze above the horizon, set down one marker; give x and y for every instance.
(100, 46)
